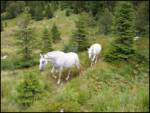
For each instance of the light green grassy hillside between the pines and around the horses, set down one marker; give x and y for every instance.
(103, 87)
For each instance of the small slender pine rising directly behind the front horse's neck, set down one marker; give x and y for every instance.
(47, 41)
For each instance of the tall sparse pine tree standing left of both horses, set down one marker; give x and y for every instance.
(25, 37)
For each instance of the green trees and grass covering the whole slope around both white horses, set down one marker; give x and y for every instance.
(120, 86)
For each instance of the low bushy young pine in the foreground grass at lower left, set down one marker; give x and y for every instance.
(29, 90)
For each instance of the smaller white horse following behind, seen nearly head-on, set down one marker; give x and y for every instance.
(93, 52)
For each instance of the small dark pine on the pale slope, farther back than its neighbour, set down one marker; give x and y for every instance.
(55, 34)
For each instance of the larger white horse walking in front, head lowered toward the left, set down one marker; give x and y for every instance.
(60, 61)
